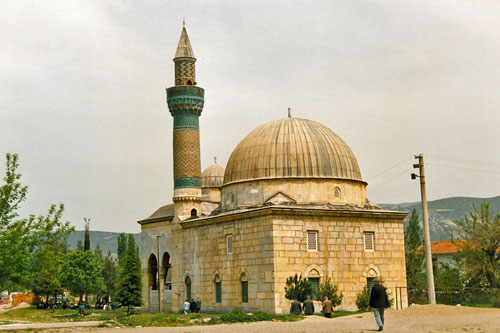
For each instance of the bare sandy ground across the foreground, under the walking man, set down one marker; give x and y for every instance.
(418, 318)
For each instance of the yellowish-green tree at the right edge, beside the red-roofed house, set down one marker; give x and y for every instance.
(480, 241)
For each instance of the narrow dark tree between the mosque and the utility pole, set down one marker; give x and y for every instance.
(415, 276)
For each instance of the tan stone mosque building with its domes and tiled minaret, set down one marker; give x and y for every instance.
(290, 200)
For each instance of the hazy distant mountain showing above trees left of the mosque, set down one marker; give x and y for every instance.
(108, 241)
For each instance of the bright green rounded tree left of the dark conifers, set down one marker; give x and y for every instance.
(81, 273)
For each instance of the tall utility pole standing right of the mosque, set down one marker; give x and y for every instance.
(427, 239)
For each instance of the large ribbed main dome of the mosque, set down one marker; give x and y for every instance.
(291, 148)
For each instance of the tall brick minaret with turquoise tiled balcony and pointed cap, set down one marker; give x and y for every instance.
(185, 102)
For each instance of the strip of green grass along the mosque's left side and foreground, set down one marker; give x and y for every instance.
(144, 319)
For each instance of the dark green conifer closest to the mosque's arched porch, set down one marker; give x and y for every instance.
(130, 282)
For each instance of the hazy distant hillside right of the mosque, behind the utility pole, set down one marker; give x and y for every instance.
(444, 213)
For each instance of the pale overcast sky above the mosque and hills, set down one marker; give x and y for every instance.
(83, 102)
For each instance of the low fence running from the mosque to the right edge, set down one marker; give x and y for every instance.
(484, 297)
